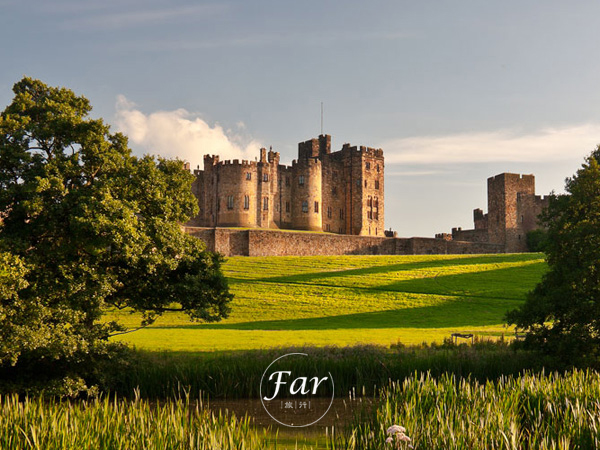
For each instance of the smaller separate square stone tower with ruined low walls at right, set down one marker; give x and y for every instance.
(513, 209)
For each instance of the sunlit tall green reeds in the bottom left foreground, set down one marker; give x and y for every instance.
(105, 424)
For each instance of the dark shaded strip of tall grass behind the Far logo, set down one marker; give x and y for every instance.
(359, 368)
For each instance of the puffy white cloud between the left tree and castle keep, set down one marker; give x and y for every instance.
(179, 134)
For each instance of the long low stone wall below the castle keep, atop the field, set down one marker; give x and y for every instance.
(234, 242)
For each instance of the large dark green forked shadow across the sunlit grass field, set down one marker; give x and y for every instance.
(472, 299)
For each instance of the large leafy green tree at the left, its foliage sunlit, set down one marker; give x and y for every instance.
(87, 226)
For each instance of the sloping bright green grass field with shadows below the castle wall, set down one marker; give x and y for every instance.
(346, 300)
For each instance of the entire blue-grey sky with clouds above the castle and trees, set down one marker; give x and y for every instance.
(454, 92)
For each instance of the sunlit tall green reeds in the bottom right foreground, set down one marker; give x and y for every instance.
(527, 412)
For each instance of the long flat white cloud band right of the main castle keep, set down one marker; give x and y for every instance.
(547, 144)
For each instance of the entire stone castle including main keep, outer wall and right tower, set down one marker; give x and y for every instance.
(341, 193)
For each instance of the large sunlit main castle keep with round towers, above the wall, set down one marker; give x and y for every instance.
(340, 192)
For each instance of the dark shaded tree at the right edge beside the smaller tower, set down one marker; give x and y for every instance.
(562, 314)
